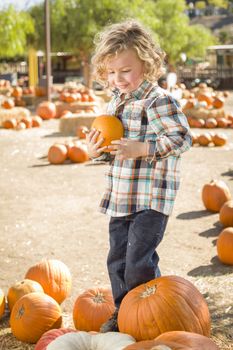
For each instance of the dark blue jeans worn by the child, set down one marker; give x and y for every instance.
(132, 259)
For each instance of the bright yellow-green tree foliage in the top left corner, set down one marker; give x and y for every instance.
(14, 31)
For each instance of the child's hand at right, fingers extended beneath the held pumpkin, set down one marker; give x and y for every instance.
(126, 149)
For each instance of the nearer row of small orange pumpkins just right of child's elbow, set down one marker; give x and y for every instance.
(209, 139)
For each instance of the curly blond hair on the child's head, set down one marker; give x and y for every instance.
(129, 34)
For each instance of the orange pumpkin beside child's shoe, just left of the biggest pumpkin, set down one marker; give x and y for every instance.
(92, 308)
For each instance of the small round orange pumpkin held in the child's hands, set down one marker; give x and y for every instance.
(110, 128)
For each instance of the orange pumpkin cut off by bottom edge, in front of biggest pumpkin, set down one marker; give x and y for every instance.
(176, 340)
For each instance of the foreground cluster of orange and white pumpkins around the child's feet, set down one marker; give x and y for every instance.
(165, 313)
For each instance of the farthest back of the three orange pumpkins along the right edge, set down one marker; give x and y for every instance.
(215, 194)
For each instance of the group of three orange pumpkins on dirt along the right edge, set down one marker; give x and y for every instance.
(217, 198)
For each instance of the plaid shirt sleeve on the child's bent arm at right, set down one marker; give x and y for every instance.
(170, 125)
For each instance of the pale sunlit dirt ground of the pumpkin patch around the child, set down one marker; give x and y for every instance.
(52, 211)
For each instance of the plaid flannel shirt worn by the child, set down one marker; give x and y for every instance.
(149, 114)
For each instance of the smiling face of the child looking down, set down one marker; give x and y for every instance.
(125, 71)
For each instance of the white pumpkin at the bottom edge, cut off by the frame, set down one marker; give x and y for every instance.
(91, 341)
